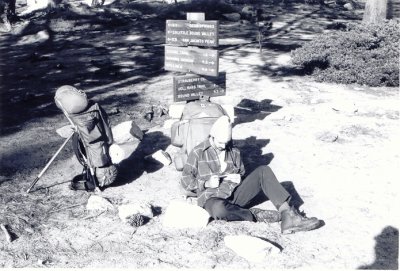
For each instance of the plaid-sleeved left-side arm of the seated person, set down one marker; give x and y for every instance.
(189, 180)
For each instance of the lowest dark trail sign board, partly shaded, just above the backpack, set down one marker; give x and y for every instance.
(192, 86)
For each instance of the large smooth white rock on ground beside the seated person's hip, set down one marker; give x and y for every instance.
(180, 215)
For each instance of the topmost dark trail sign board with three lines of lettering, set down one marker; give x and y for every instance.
(197, 33)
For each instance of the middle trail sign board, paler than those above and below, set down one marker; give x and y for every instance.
(191, 59)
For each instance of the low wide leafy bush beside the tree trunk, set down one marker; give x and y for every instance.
(360, 53)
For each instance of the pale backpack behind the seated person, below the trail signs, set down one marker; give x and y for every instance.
(193, 127)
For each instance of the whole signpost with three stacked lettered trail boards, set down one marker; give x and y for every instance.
(181, 55)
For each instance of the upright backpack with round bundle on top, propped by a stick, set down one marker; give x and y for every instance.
(92, 138)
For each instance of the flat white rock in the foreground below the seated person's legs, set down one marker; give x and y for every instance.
(251, 248)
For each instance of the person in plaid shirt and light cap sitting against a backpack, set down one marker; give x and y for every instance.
(214, 171)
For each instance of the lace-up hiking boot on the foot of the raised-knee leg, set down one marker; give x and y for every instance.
(293, 222)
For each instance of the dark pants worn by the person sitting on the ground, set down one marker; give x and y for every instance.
(261, 185)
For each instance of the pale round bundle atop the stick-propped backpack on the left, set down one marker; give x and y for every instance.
(71, 99)
